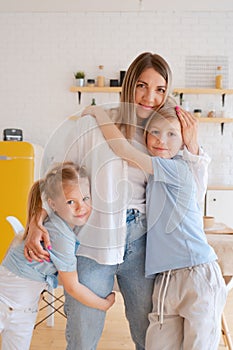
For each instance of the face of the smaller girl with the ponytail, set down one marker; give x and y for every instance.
(73, 204)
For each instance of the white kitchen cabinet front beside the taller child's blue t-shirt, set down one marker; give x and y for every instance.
(219, 203)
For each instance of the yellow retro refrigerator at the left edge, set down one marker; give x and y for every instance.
(16, 178)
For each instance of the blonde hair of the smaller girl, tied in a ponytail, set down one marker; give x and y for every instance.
(50, 187)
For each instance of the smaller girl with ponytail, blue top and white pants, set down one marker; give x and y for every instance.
(67, 192)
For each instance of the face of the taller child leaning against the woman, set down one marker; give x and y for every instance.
(164, 138)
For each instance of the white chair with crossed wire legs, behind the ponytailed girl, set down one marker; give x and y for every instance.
(48, 295)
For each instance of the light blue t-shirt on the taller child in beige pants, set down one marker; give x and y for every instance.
(175, 235)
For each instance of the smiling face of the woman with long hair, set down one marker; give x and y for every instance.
(149, 93)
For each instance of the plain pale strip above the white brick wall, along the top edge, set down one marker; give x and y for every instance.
(113, 5)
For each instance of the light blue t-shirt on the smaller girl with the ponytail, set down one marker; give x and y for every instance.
(64, 245)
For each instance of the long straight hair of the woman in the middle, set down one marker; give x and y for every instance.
(127, 116)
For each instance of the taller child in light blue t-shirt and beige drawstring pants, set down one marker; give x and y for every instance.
(189, 290)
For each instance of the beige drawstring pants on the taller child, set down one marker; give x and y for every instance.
(187, 308)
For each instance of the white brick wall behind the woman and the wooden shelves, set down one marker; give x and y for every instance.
(40, 50)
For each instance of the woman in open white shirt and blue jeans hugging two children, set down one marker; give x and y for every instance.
(145, 88)
